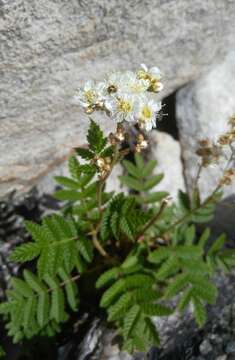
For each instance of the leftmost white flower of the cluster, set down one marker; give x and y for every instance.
(91, 94)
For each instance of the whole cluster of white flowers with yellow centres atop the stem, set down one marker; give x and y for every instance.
(125, 96)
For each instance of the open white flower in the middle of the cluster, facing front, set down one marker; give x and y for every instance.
(123, 107)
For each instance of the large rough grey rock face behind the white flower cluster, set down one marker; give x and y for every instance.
(48, 47)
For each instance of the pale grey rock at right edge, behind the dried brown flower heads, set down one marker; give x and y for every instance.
(203, 109)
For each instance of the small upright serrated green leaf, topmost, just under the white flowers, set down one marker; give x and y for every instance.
(96, 138)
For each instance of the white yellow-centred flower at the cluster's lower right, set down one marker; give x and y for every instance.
(147, 114)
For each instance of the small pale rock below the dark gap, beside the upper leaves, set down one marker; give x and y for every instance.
(167, 152)
